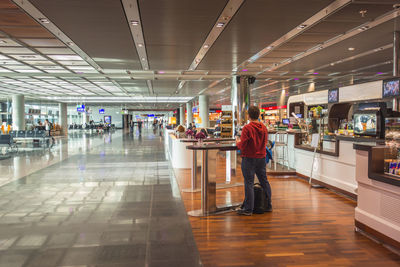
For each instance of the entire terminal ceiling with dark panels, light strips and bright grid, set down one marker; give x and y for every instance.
(160, 54)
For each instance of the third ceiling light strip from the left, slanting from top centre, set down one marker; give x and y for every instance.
(225, 17)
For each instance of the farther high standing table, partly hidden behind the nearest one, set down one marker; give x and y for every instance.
(195, 169)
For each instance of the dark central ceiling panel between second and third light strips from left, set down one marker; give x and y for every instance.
(174, 30)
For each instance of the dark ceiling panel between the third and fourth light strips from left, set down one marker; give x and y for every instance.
(257, 24)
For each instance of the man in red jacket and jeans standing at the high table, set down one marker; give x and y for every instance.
(252, 145)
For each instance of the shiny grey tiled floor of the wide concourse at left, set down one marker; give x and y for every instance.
(108, 200)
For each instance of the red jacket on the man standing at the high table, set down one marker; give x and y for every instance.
(253, 141)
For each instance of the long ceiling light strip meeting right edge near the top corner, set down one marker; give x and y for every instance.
(351, 33)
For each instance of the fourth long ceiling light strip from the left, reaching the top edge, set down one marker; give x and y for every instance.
(321, 15)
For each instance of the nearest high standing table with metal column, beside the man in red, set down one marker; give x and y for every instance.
(208, 179)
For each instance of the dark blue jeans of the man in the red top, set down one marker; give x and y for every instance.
(251, 166)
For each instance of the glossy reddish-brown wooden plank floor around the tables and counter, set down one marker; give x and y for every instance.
(308, 227)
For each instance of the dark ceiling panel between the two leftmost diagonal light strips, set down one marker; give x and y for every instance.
(107, 41)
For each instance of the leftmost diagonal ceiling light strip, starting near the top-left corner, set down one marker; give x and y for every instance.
(36, 14)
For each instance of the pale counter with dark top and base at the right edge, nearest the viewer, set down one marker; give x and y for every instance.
(377, 212)
